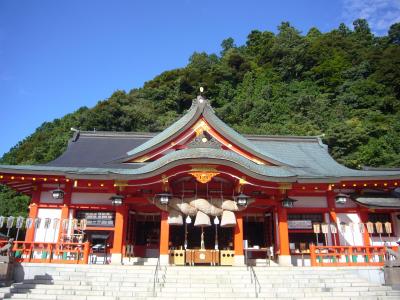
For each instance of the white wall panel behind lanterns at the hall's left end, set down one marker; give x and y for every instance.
(51, 234)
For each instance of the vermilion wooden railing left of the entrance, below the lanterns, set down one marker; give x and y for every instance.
(41, 252)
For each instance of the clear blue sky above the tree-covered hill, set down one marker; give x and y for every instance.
(56, 56)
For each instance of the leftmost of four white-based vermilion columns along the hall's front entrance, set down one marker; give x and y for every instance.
(121, 214)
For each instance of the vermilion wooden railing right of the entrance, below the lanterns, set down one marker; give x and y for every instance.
(325, 256)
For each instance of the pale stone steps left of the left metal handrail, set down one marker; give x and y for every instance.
(82, 282)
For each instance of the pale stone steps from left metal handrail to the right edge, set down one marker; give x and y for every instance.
(276, 283)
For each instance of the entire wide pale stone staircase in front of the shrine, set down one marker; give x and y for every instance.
(103, 282)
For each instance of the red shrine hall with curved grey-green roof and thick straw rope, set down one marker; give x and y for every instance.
(201, 193)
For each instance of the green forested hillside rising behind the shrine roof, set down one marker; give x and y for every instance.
(343, 84)
